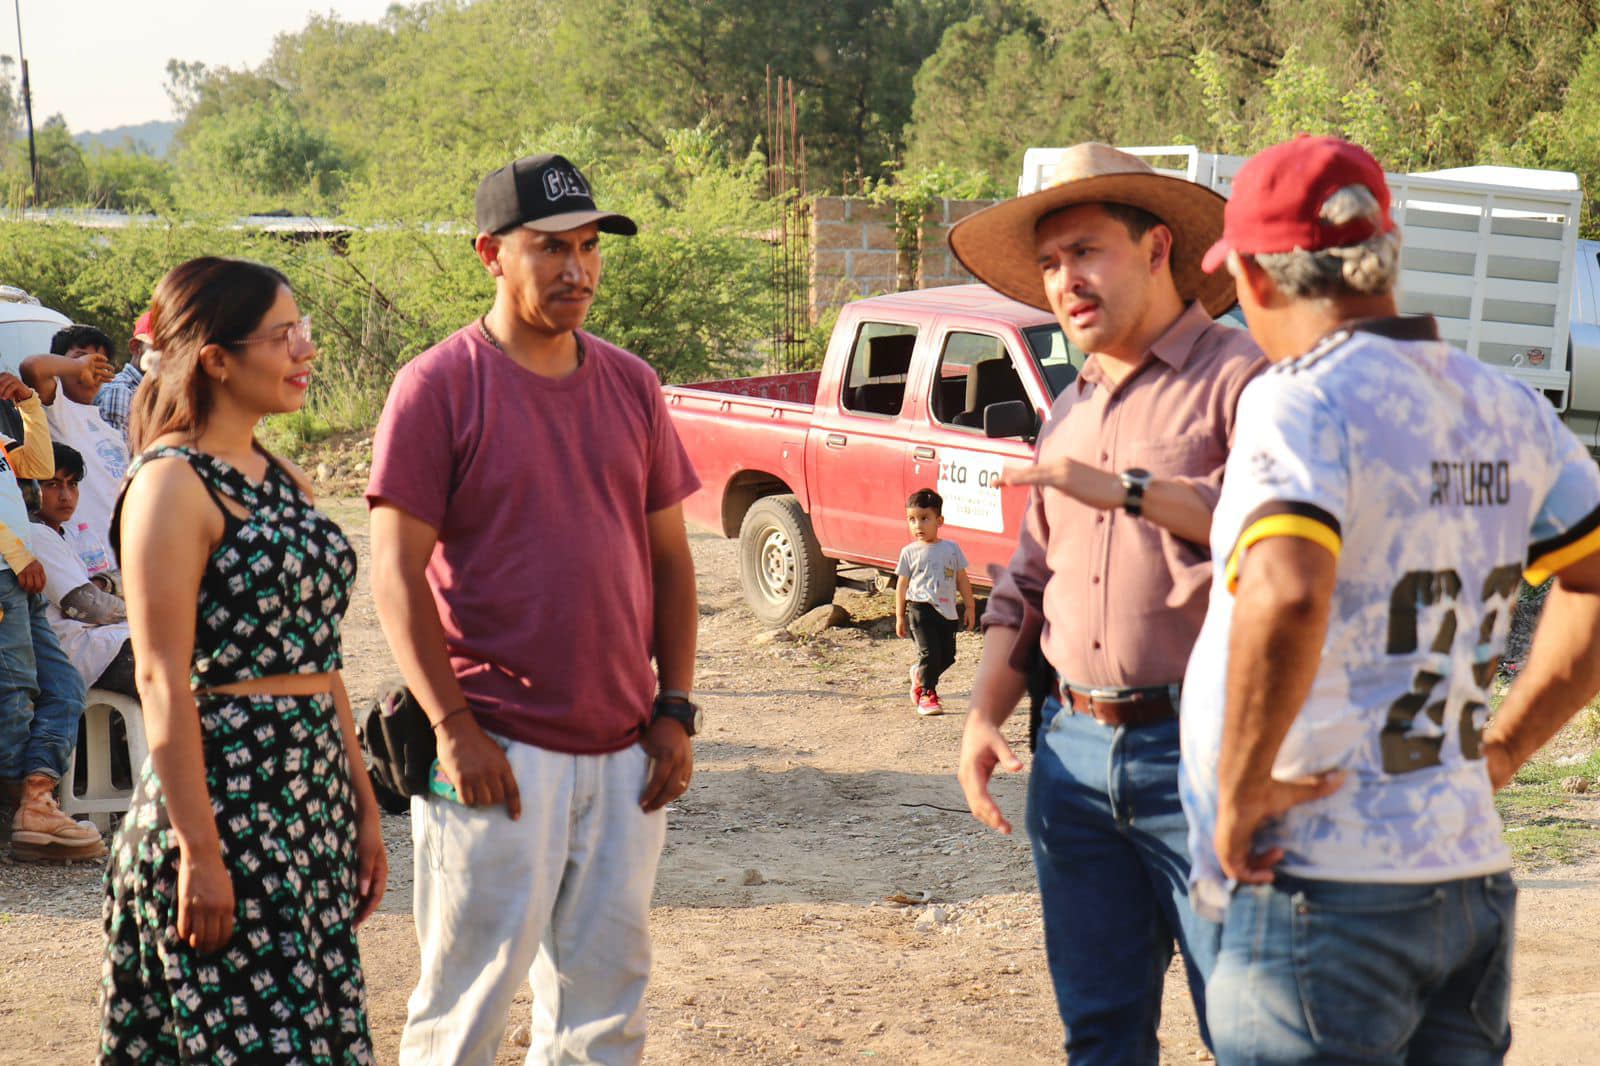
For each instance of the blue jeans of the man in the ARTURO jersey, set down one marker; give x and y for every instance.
(1342, 972)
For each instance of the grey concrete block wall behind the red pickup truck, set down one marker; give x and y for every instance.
(855, 250)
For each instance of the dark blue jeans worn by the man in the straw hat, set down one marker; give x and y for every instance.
(1113, 859)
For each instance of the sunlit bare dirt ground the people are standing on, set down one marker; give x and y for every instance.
(818, 795)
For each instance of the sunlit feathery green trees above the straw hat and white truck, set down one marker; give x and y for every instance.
(1425, 84)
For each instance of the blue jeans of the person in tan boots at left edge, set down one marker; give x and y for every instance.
(41, 692)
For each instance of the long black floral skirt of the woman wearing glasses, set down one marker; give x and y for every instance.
(289, 985)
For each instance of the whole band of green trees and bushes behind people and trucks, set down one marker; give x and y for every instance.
(665, 105)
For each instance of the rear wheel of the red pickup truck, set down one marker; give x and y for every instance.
(782, 566)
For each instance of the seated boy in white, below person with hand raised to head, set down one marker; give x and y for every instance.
(81, 582)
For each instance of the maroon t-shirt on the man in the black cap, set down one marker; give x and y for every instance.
(538, 489)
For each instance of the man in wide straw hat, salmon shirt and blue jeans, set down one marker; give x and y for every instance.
(1111, 574)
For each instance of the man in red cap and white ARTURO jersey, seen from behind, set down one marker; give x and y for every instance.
(1383, 502)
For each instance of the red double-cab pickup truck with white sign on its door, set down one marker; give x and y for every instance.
(927, 390)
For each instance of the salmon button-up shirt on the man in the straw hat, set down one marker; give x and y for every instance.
(1121, 601)
